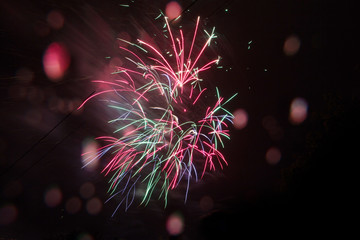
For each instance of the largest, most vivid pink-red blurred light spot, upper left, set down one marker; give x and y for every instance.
(56, 61)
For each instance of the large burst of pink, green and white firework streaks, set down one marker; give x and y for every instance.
(152, 97)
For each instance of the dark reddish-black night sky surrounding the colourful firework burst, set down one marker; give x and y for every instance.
(287, 173)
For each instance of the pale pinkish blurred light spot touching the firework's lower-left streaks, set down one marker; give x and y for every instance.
(89, 157)
